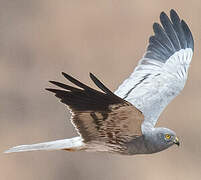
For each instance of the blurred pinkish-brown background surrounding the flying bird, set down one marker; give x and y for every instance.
(41, 38)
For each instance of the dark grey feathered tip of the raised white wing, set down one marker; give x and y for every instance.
(170, 36)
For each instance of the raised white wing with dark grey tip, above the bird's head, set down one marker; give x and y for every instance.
(162, 72)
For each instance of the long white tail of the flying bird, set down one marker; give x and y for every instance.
(73, 144)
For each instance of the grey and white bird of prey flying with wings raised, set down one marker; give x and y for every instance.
(123, 122)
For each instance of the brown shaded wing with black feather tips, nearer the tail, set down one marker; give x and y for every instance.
(100, 117)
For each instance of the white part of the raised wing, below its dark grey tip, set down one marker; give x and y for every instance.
(153, 84)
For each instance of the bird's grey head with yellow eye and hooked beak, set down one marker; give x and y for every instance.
(159, 139)
